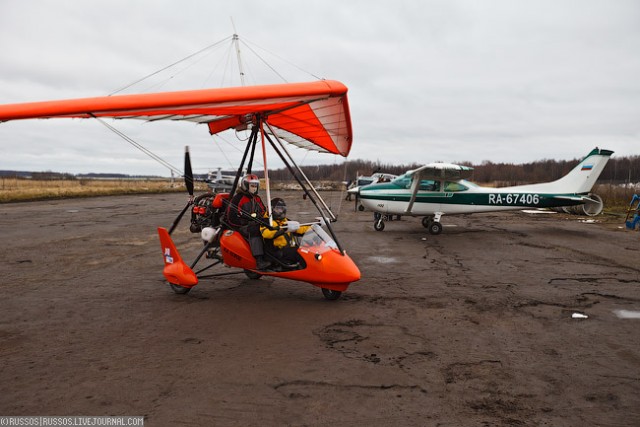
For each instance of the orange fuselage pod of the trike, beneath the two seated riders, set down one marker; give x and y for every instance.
(324, 268)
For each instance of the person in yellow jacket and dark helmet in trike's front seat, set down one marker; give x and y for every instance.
(280, 242)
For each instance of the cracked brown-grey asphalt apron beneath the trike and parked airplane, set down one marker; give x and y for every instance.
(475, 326)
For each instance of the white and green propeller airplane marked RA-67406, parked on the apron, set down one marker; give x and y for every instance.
(440, 188)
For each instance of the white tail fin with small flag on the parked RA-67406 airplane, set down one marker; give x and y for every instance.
(580, 179)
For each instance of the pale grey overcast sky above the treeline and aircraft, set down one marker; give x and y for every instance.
(451, 80)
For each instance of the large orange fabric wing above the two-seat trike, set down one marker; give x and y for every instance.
(311, 115)
